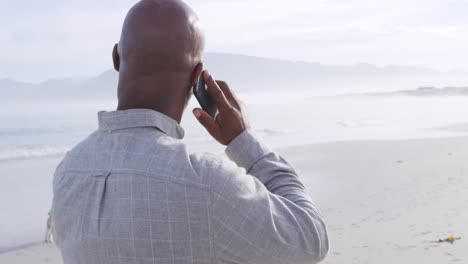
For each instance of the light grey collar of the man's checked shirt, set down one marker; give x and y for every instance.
(134, 118)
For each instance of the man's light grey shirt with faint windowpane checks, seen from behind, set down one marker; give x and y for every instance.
(132, 193)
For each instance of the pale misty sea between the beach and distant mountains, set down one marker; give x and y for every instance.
(42, 129)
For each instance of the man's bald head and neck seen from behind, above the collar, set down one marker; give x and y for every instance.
(158, 56)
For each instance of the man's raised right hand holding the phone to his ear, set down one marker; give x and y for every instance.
(230, 121)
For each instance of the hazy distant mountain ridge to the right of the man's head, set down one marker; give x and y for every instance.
(251, 73)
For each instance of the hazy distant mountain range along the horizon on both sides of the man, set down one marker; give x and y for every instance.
(247, 73)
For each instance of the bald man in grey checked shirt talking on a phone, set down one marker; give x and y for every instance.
(132, 193)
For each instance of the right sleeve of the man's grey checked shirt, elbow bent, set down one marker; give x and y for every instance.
(261, 211)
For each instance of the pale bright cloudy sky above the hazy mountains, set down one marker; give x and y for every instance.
(47, 39)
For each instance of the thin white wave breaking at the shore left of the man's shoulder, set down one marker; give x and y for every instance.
(26, 152)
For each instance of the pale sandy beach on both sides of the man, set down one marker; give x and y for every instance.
(384, 201)
